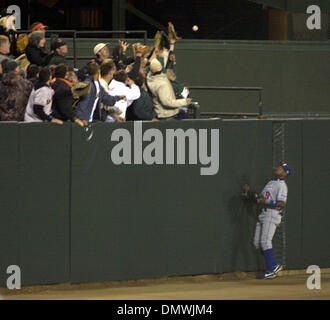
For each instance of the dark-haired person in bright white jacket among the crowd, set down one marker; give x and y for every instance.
(122, 85)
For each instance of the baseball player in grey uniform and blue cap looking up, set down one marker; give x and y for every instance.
(273, 201)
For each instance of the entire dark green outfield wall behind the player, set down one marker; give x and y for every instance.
(69, 214)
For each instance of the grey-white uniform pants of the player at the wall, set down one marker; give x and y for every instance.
(269, 219)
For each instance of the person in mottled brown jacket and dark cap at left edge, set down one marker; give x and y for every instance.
(14, 92)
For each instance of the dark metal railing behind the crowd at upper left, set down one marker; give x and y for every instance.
(75, 34)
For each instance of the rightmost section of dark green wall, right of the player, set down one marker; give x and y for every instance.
(315, 193)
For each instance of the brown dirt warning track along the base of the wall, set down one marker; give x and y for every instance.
(289, 285)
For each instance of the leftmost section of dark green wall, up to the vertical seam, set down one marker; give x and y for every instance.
(35, 201)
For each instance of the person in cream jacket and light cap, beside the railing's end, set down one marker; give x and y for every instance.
(166, 105)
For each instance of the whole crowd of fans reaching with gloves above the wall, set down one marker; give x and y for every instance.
(38, 86)
